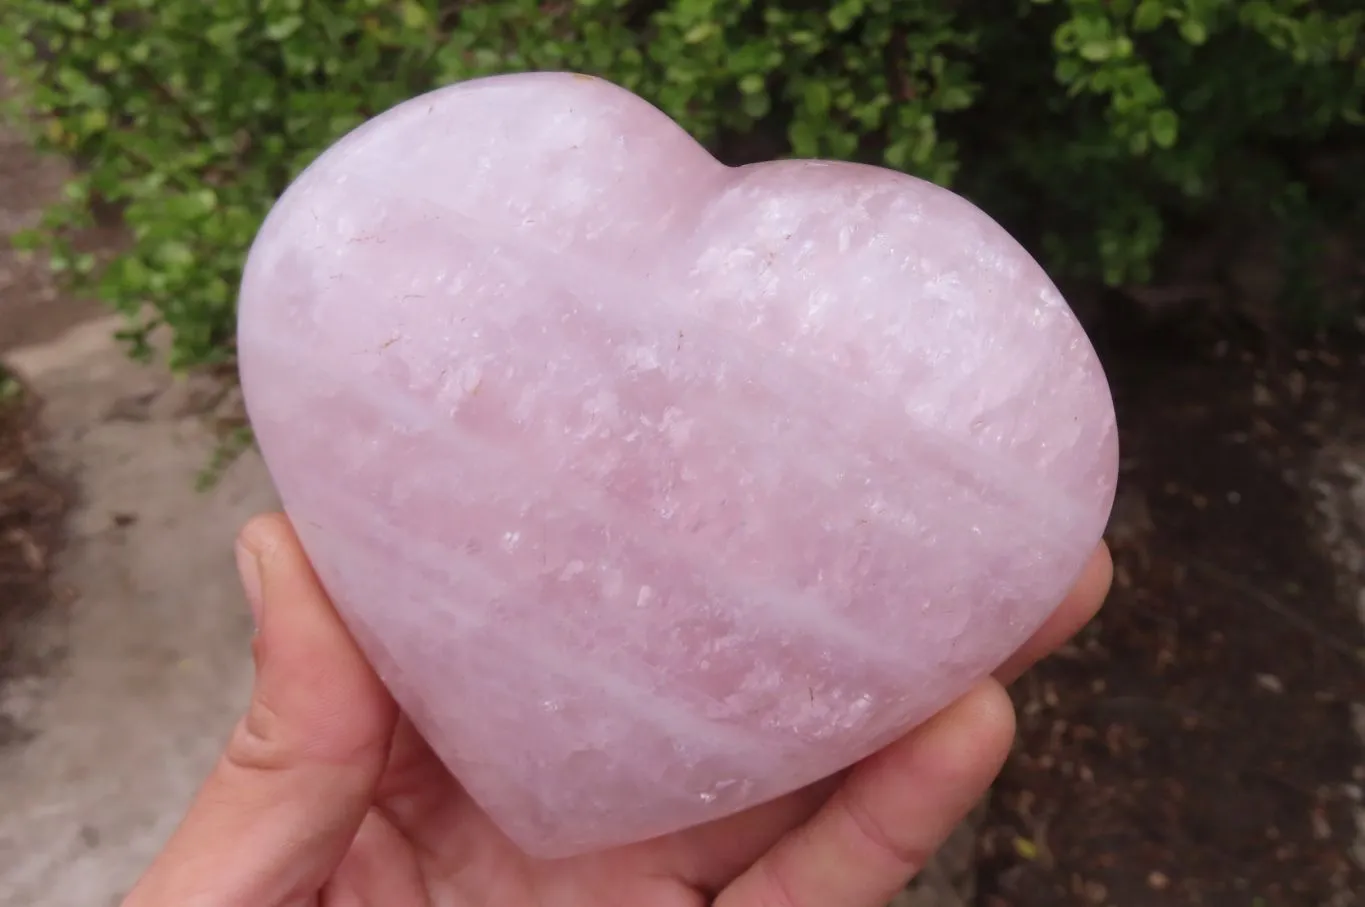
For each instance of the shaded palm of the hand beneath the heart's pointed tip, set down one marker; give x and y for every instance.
(427, 843)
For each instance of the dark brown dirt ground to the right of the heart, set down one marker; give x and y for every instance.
(1196, 745)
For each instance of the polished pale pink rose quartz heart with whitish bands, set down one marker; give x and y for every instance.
(655, 488)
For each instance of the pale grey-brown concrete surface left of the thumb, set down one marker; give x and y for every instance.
(149, 652)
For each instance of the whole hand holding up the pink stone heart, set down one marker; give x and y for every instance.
(326, 797)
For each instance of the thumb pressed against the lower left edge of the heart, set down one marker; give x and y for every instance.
(286, 801)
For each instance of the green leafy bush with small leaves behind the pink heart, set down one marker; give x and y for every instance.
(1097, 129)
